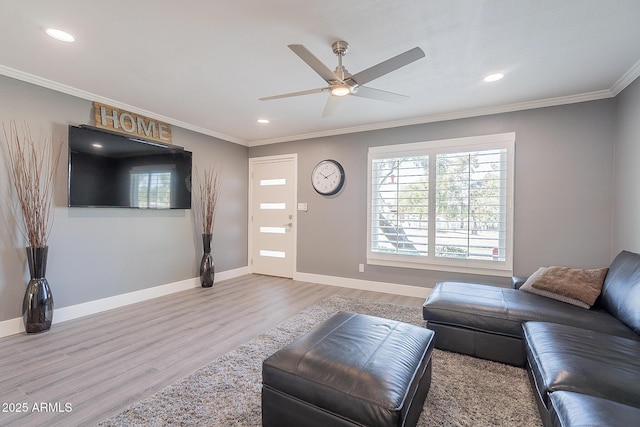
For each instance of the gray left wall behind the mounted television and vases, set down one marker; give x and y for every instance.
(97, 253)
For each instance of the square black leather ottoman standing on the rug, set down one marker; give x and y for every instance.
(351, 370)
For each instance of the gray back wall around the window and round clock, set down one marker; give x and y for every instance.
(563, 182)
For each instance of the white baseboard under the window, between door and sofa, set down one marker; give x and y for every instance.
(367, 285)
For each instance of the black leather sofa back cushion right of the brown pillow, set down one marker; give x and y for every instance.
(621, 289)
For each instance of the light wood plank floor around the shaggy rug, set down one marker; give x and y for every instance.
(97, 365)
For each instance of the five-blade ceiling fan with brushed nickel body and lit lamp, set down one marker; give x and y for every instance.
(342, 83)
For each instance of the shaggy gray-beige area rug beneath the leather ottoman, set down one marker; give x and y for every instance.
(464, 391)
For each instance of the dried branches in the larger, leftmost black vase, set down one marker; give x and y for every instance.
(32, 166)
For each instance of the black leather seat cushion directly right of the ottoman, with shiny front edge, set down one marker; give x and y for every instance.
(566, 358)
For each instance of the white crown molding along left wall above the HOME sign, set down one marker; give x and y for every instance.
(69, 90)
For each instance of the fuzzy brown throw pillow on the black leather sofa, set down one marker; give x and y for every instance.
(580, 284)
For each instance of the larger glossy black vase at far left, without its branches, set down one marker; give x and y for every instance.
(37, 305)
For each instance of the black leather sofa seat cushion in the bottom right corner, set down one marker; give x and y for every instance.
(575, 409)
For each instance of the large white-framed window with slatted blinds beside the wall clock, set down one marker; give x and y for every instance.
(444, 205)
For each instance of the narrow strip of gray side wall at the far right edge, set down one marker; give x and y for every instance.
(626, 225)
